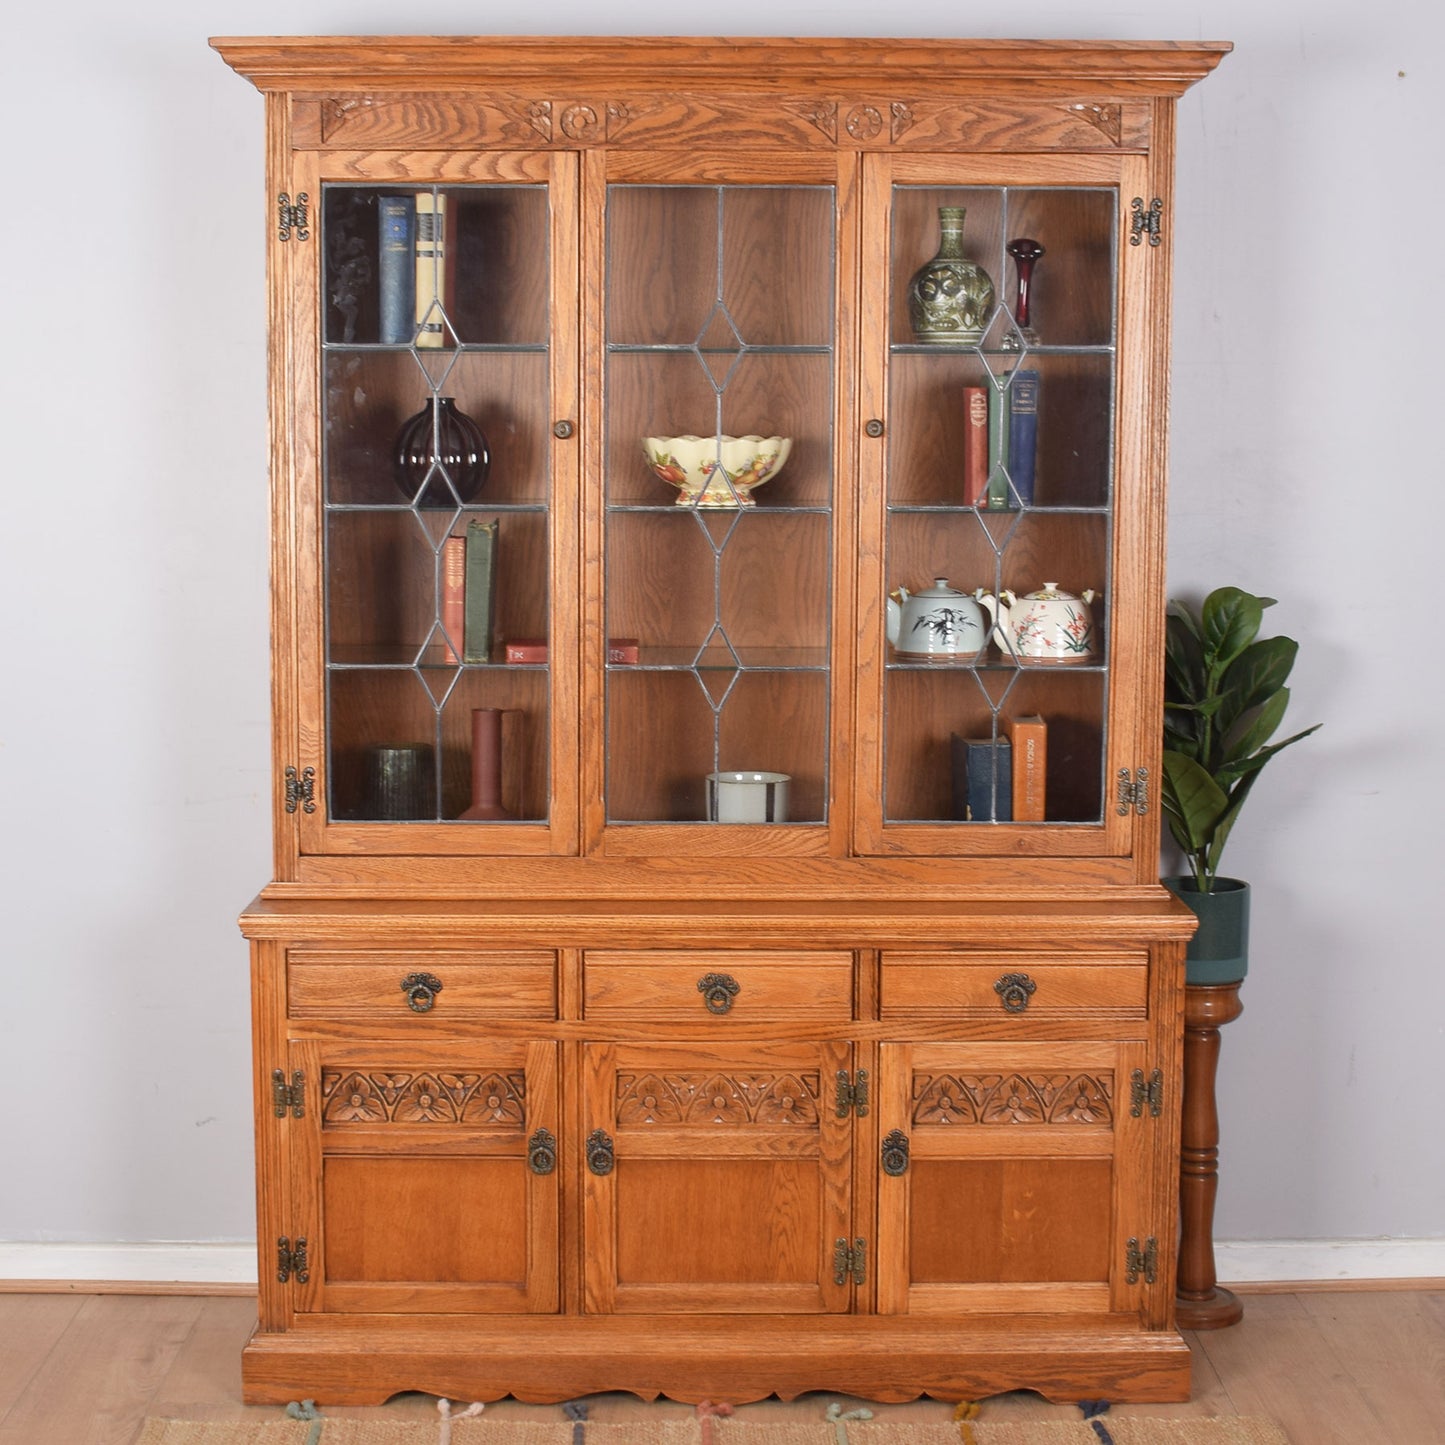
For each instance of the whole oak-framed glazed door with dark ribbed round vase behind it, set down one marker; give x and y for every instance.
(446, 498)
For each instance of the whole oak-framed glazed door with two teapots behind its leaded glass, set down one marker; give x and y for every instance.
(1011, 488)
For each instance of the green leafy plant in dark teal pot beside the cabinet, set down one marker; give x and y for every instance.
(1225, 700)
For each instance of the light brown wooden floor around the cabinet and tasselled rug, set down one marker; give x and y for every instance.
(1359, 1366)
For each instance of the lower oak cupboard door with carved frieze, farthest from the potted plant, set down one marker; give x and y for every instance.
(426, 1177)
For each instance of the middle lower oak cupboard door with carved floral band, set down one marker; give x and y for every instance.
(717, 1178)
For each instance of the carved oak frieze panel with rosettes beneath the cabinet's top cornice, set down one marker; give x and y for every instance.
(872, 121)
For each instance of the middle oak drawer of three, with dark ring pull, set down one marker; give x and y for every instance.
(755, 988)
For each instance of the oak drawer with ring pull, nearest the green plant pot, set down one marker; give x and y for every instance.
(1009, 985)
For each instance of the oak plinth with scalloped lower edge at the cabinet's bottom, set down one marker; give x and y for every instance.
(363, 1360)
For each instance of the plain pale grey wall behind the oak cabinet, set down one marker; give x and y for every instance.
(134, 736)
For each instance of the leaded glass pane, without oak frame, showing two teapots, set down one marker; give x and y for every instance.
(999, 505)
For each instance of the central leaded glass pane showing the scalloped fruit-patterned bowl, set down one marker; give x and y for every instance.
(719, 543)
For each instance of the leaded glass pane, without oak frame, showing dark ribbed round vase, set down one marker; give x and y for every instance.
(437, 483)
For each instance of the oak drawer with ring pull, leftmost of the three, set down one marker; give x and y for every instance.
(329, 985)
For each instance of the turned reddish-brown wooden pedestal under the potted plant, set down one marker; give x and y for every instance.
(1200, 1303)
